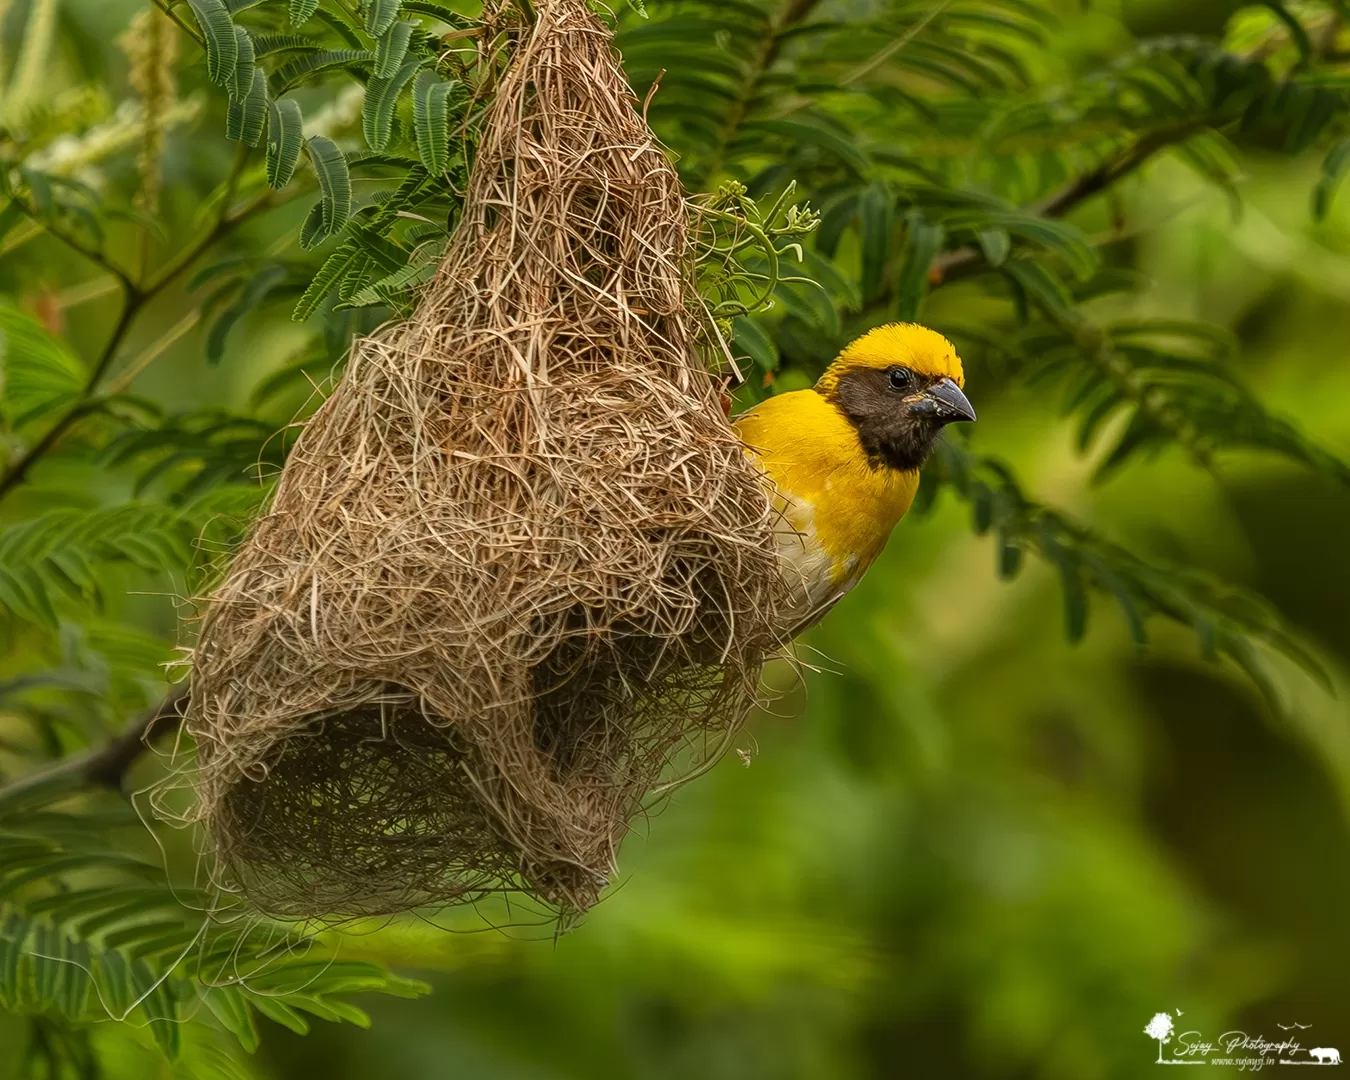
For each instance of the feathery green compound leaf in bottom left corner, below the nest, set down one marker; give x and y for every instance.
(110, 931)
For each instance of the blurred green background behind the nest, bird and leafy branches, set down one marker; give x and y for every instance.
(959, 847)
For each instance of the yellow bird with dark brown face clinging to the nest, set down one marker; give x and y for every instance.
(844, 457)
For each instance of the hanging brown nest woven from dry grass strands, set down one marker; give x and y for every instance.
(518, 562)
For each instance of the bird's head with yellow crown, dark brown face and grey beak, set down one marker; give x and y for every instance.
(898, 385)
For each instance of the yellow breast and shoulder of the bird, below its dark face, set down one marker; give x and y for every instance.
(827, 488)
